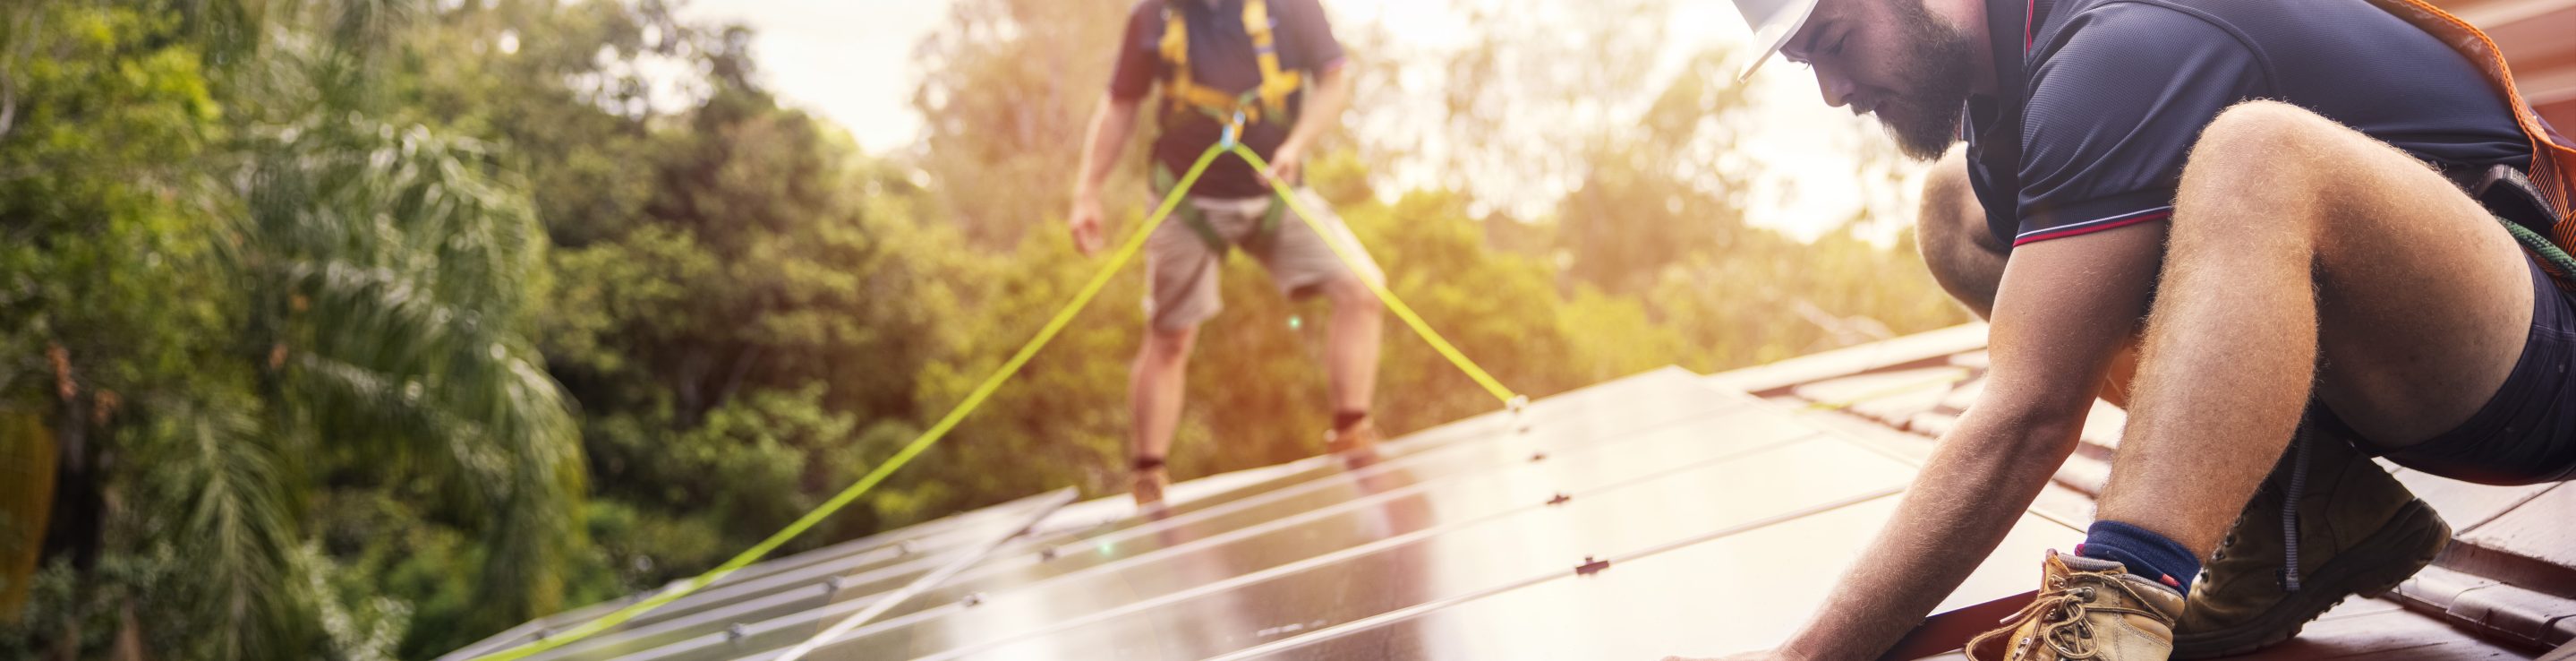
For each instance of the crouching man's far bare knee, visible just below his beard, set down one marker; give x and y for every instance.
(1954, 239)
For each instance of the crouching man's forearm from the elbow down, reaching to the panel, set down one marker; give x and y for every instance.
(1972, 492)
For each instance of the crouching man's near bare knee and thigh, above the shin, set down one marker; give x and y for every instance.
(2420, 298)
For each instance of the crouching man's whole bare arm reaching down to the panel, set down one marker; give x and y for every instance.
(2062, 314)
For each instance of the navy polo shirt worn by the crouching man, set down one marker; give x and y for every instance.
(2111, 97)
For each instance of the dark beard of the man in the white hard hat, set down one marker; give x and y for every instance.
(1926, 117)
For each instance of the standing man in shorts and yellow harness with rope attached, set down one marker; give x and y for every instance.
(1271, 76)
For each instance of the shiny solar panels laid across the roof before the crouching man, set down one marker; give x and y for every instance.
(1709, 520)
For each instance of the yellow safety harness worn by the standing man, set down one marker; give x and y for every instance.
(1269, 102)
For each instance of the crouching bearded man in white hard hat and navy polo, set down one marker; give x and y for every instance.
(2286, 221)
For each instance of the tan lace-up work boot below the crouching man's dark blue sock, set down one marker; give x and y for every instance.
(2085, 611)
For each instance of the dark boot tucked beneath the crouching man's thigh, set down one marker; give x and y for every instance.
(2358, 533)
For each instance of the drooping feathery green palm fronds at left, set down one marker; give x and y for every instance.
(393, 267)
